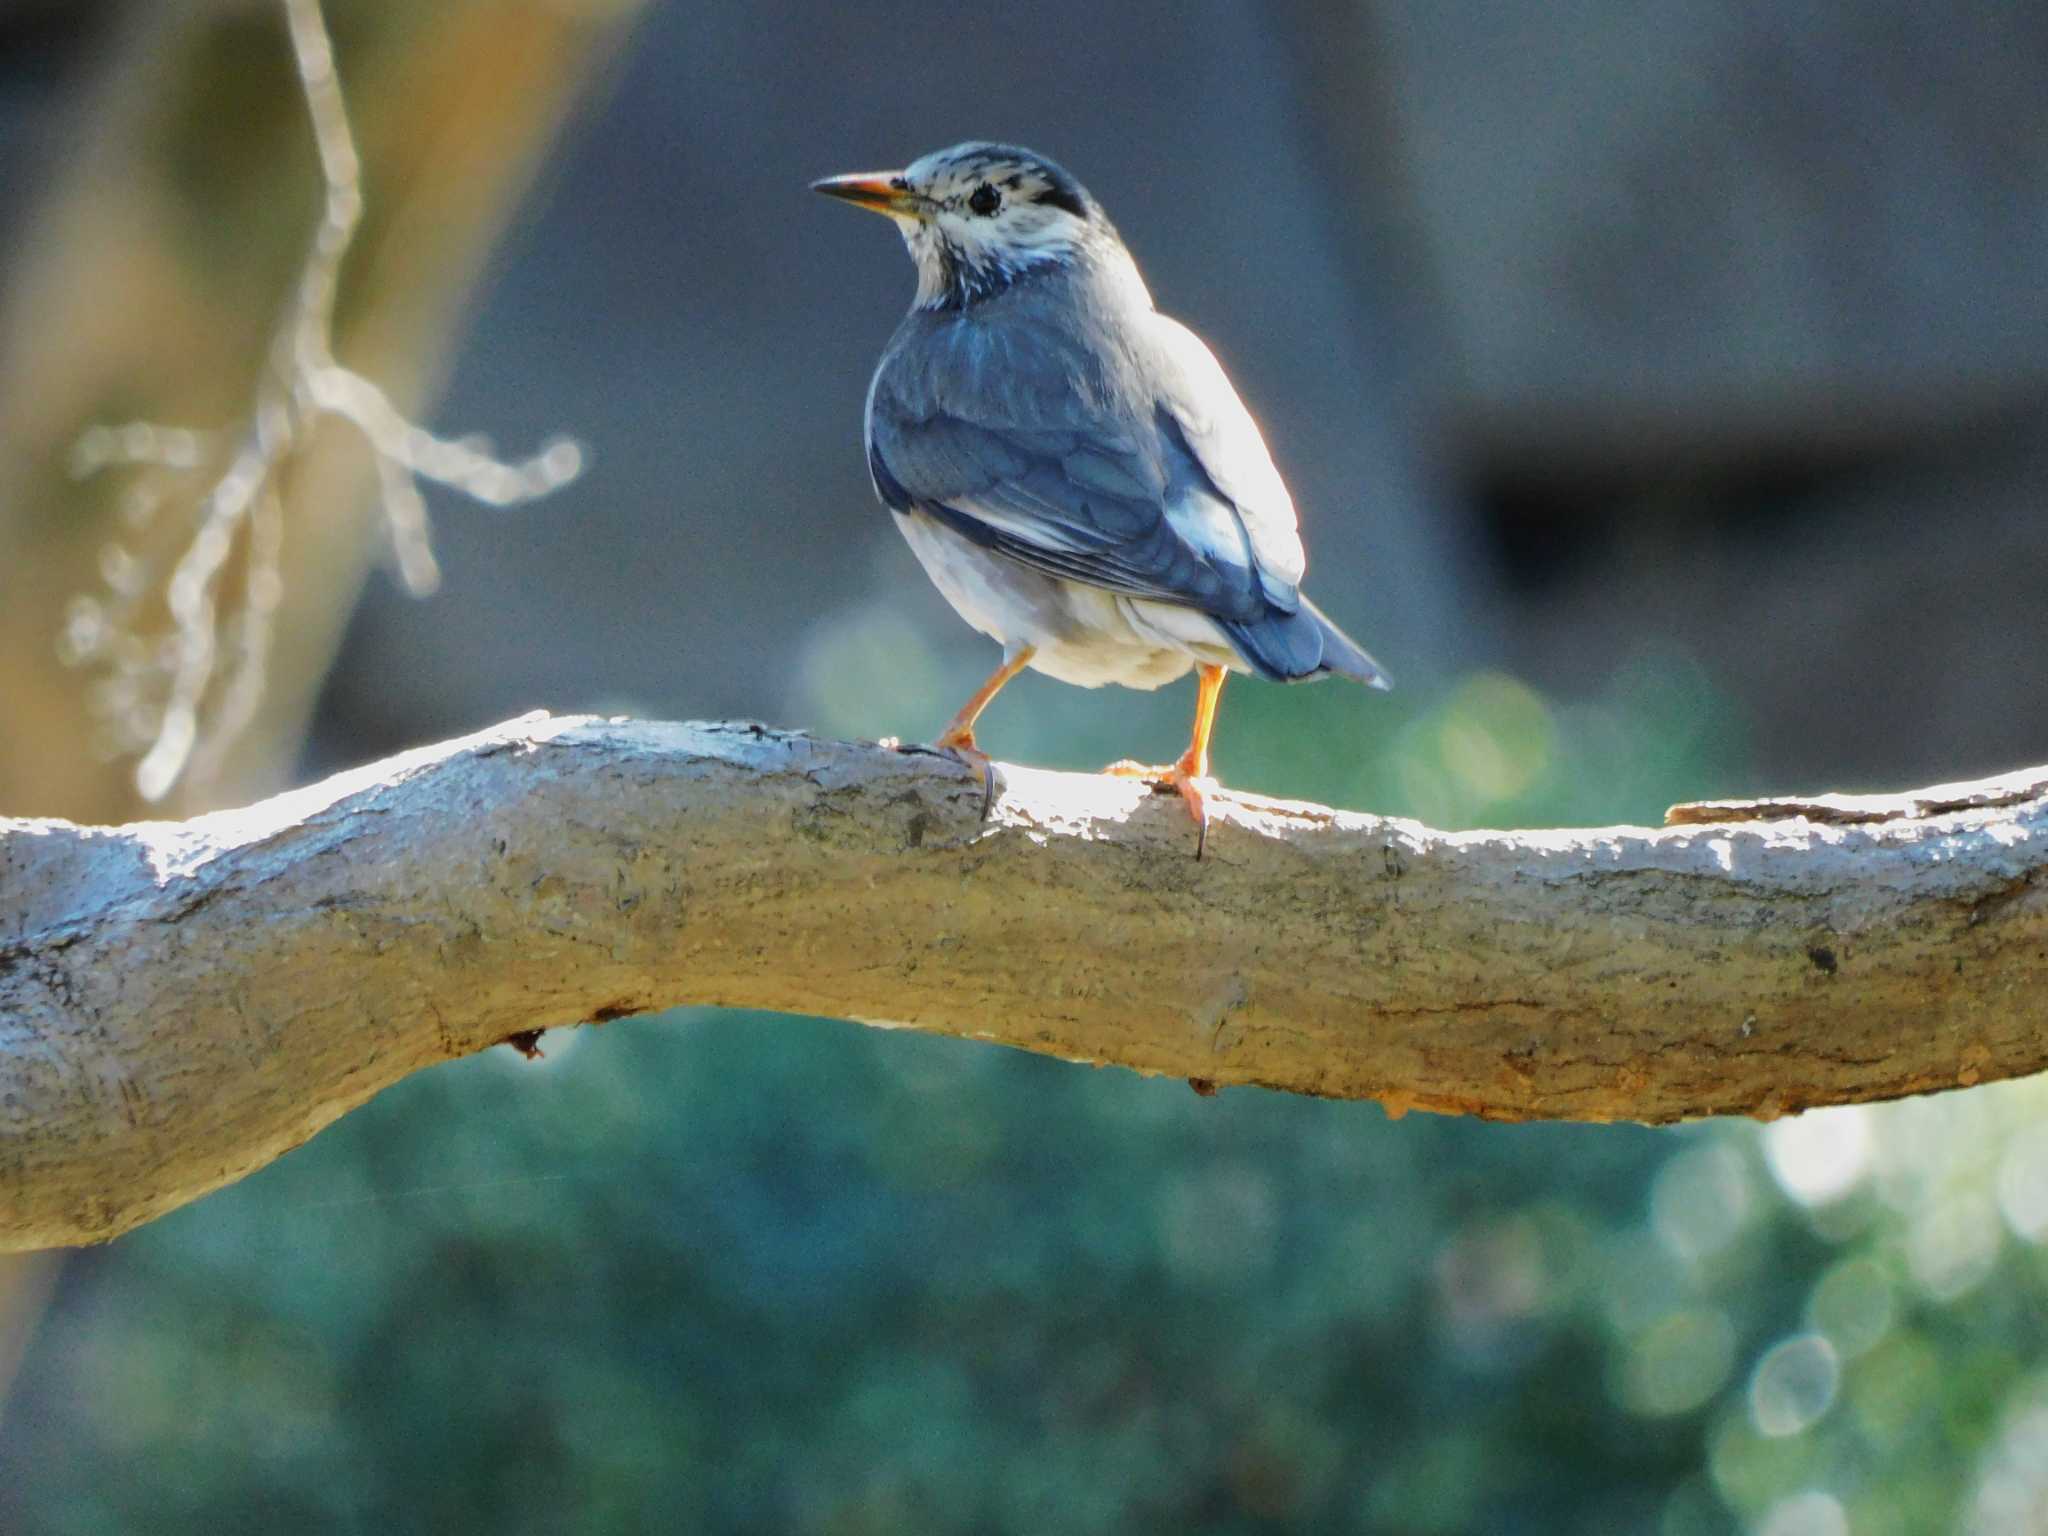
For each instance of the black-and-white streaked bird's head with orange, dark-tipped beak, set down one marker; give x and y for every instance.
(984, 216)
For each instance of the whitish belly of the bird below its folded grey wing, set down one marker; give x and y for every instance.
(1080, 634)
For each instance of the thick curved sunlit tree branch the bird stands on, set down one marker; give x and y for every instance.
(183, 1002)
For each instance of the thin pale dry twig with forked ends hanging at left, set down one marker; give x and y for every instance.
(169, 697)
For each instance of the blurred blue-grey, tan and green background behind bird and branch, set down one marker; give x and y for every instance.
(1666, 398)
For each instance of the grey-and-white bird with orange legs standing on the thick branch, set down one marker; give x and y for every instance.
(1072, 468)
